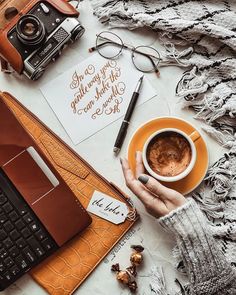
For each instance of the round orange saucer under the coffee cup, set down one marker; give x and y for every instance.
(195, 177)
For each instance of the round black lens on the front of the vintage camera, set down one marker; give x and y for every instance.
(30, 30)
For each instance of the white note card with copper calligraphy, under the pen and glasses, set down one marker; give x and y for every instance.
(94, 93)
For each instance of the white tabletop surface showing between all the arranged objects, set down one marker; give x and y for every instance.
(97, 150)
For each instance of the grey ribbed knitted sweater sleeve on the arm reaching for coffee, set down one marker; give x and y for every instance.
(208, 270)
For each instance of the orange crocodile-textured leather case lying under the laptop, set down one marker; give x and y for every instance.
(63, 272)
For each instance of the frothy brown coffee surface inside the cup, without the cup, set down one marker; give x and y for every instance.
(169, 154)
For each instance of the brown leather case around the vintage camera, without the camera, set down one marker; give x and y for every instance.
(7, 51)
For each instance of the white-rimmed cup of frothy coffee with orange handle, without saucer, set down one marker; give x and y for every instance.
(170, 154)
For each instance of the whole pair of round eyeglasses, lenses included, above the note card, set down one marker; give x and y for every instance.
(110, 46)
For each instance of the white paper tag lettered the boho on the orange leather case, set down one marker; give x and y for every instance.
(108, 208)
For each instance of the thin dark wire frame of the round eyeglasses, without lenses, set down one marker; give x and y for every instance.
(129, 47)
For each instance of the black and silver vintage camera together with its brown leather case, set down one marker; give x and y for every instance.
(38, 34)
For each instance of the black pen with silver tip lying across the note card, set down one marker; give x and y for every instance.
(125, 124)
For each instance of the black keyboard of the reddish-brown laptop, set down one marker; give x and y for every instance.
(24, 241)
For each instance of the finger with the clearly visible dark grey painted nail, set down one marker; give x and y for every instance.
(154, 186)
